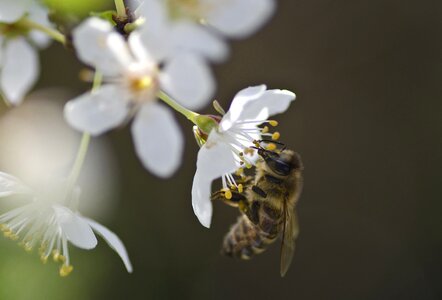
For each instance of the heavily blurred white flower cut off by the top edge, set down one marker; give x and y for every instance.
(198, 25)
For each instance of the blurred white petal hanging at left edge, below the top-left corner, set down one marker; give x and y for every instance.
(20, 69)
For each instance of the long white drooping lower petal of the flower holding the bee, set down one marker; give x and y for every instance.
(215, 158)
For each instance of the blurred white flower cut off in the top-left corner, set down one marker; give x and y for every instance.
(19, 63)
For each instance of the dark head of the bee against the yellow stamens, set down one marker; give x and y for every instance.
(281, 163)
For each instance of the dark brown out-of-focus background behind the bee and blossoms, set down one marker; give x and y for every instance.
(367, 122)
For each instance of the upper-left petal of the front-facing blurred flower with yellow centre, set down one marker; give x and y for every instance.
(98, 45)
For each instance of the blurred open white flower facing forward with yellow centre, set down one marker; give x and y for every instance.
(132, 79)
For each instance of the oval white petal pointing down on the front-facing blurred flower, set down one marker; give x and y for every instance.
(158, 139)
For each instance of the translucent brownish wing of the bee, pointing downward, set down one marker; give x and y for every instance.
(289, 234)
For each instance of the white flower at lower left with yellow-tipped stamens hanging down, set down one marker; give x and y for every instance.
(50, 221)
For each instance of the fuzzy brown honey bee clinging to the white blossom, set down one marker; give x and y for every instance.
(268, 207)
